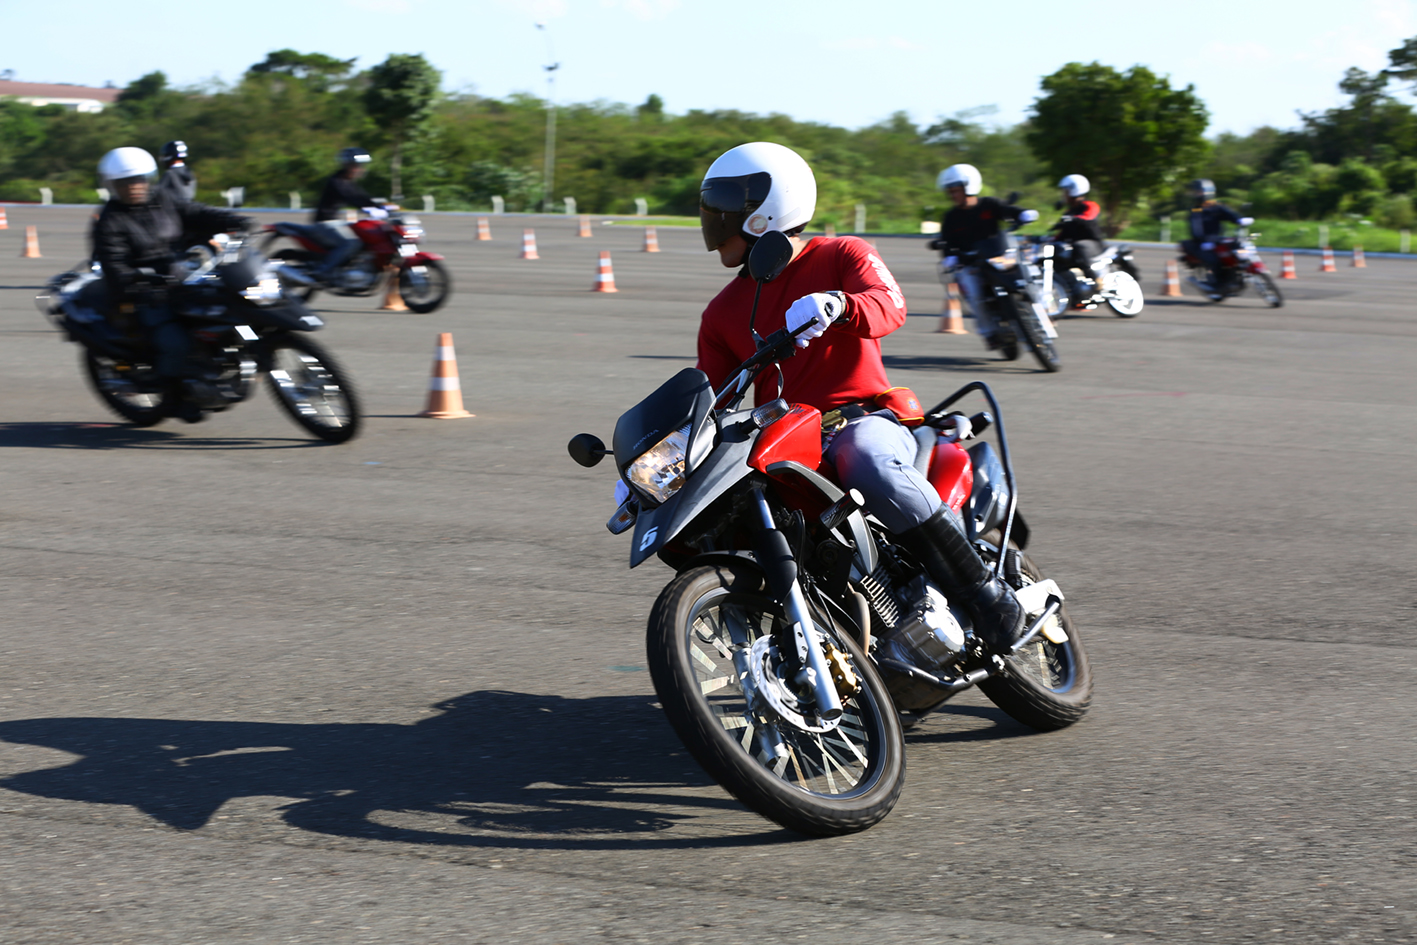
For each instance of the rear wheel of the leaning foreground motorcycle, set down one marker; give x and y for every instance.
(1046, 686)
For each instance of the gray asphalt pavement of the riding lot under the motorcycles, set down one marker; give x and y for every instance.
(259, 689)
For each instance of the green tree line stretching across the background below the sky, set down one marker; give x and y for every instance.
(278, 128)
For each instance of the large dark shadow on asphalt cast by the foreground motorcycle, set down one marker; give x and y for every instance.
(491, 770)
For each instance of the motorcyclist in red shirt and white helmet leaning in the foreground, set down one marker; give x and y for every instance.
(847, 294)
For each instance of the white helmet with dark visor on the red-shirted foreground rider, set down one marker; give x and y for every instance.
(755, 189)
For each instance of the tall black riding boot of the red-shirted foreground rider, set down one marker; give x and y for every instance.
(953, 563)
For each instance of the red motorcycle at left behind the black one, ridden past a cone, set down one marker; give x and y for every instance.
(389, 247)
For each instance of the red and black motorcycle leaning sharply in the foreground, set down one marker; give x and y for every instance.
(797, 635)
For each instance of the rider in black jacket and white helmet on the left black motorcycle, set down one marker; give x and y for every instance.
(137, 240)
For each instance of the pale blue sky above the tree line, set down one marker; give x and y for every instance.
(825, 60)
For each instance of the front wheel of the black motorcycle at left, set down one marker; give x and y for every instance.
(311, 386)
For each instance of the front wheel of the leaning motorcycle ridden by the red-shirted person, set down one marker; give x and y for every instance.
(729, 695)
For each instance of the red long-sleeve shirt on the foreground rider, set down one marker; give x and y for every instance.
(840, 368)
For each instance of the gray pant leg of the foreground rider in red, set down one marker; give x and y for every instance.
(876, 457)
